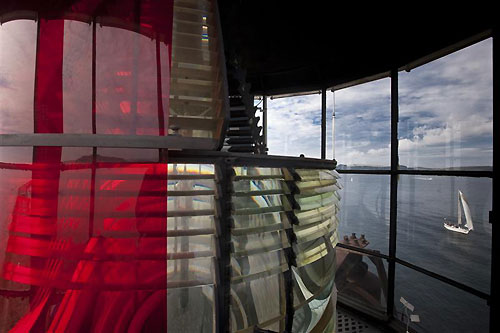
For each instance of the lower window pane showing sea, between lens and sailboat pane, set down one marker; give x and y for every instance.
(364, 211)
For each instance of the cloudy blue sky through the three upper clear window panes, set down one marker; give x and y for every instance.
(446, 117)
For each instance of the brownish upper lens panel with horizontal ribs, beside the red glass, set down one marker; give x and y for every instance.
(196, 85)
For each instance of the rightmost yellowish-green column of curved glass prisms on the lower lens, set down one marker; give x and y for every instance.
(316, 238)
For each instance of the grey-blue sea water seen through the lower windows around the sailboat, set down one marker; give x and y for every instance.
(423, 203)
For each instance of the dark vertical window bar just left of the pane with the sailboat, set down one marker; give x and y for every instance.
(394, 192)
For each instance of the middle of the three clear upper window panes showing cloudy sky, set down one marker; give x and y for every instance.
(363, 125)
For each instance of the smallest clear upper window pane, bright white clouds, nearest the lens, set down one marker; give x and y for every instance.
(294, 126)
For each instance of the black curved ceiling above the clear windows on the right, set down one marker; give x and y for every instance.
(302, 46)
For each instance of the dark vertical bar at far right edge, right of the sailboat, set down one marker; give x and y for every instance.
(494, 229)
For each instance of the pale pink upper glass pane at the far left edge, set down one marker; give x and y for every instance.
(17, 76)
